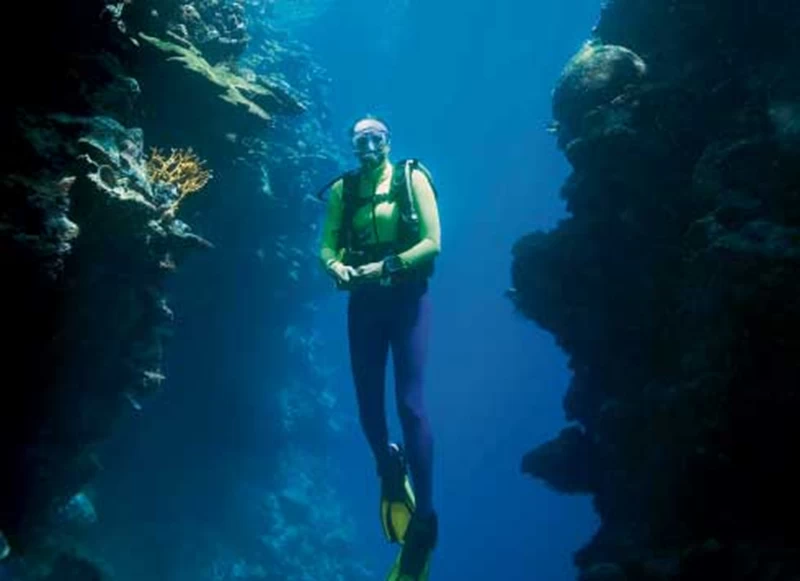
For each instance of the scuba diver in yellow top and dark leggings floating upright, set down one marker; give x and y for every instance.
(379, 241)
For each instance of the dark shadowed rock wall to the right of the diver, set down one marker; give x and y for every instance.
(673, 287)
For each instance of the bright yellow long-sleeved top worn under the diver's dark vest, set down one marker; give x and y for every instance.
(382, 226)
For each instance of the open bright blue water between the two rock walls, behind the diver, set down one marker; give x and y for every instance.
(466, 87)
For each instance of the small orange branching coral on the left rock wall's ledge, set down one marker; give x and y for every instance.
(181, 169)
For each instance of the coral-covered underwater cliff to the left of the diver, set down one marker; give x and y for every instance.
(156, 224)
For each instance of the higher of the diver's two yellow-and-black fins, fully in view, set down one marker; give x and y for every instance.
(397, 498)
